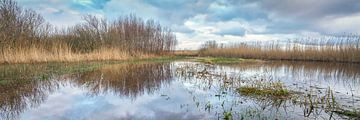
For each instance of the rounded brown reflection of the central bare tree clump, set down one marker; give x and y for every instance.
(127, 80)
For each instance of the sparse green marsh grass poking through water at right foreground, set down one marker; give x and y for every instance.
(270, 95)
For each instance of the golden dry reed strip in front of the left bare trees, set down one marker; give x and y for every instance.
(35, 55)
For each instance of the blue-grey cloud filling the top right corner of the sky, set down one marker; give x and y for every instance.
(311, 9)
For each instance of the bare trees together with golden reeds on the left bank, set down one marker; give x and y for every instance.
(26, 37)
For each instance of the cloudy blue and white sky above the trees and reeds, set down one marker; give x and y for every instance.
(225, 21)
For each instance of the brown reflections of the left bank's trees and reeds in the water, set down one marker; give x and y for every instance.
(126, 80)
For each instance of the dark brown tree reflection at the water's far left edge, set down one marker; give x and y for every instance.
(20, 90)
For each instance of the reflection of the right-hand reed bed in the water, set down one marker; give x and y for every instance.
(344, 78)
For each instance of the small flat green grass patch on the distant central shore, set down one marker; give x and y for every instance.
(221, 60)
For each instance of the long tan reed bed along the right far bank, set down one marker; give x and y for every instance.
(334, 49)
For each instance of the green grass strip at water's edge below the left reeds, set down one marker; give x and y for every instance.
(14, 73)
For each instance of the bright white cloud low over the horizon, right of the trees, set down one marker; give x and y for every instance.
(232, 31)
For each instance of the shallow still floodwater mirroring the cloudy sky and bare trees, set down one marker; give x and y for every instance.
(177, 90)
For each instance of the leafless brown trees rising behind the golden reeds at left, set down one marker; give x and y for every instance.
(24, 28)
